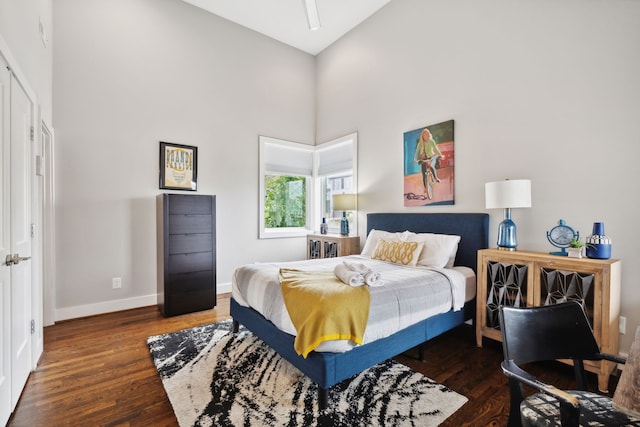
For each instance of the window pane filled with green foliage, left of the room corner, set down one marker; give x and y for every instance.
(285, 201)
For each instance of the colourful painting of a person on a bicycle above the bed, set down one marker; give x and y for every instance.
(428, 165)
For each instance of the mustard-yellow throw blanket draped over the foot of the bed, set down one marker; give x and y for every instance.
(323, 308)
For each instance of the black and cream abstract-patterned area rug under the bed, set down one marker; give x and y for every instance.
(216, 378)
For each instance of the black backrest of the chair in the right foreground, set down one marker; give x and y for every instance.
(559, 331)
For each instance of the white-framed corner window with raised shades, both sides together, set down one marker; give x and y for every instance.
(297, 182)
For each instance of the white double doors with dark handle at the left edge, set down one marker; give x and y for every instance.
(15, 256)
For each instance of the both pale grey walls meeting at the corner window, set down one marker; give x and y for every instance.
(539, 90)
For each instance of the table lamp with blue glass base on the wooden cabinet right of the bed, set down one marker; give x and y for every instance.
(507, 194)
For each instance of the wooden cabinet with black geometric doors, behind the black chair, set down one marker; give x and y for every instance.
(529, 279)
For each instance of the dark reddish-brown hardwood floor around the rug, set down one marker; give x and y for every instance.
(97, 371)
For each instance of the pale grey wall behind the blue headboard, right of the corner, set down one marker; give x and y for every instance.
(546, 90)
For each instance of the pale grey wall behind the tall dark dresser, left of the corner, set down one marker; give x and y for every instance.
(131, 73)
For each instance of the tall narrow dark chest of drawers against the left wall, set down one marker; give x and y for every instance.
(186, 228)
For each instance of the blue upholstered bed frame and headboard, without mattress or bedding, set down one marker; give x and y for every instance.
(327, 368)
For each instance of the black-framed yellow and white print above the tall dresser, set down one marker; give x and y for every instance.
(178, 167)
